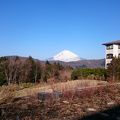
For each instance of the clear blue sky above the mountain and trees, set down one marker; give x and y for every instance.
(42, 28)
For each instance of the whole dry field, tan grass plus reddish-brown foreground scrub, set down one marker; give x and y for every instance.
(94, 96)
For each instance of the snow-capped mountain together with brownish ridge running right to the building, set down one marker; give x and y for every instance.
(69, 58)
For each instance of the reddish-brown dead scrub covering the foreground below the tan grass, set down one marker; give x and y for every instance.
(71, 106)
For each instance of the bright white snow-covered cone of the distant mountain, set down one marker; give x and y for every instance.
(66, 56)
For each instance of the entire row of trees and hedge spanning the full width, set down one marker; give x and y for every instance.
(28, 70)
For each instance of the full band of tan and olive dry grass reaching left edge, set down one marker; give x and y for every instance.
(8, 93)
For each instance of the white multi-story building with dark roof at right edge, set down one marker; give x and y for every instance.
(112, 50)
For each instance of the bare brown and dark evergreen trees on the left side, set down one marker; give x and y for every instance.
(17, 70)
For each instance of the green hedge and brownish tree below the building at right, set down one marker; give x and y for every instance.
(112, 73)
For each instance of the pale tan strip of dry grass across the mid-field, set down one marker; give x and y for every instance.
(61, 86)
